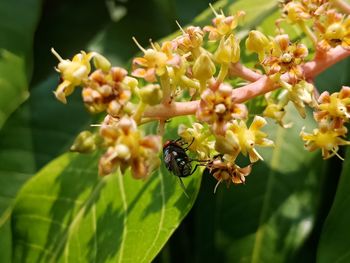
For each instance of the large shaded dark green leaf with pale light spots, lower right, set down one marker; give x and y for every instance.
(268, 218)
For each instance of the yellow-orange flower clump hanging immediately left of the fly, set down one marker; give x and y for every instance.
(128, 148)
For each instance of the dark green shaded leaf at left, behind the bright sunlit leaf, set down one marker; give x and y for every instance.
(38, 131)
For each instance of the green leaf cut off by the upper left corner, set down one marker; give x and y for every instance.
(17, 26)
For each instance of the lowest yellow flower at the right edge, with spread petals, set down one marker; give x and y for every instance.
(327, 137)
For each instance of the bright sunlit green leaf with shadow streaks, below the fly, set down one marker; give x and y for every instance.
(67, 213)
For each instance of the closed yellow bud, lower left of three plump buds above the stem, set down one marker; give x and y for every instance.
(203, 68)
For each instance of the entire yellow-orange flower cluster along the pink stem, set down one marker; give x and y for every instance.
(195, 74)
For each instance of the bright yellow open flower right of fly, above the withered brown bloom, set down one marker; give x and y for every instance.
(239, 138)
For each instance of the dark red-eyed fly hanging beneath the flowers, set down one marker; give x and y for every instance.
(177, 161)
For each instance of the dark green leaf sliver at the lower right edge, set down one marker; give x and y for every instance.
(334, 245)
